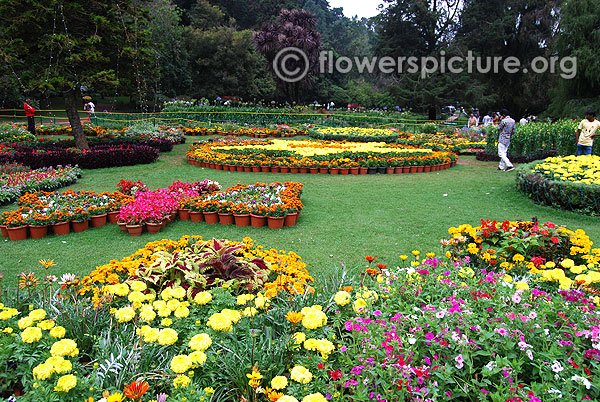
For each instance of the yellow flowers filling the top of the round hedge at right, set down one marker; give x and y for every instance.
(583, 169)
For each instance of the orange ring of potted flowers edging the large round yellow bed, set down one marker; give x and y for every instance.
(202, 154)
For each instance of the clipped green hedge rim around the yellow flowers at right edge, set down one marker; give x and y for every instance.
(566, 195)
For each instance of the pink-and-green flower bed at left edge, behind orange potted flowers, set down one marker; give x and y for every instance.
(16, 180)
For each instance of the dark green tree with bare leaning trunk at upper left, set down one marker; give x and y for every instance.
(87, 44)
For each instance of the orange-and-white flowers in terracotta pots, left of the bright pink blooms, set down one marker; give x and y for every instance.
(39, 211)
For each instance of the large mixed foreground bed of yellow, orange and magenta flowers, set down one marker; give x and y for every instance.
(426, 328)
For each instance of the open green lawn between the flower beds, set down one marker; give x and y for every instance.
(345, 217)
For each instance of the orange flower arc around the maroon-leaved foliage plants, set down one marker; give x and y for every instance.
(290, 274)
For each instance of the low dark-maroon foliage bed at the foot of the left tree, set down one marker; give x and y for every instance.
(100, 156)
